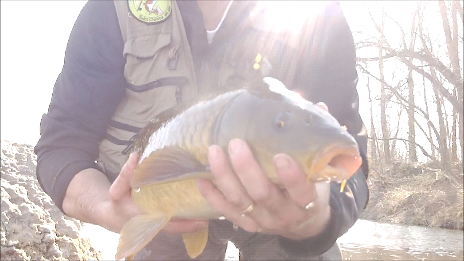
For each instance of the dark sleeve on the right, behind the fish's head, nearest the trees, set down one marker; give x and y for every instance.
(331, 77)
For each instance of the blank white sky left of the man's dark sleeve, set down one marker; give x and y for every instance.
(34, 35)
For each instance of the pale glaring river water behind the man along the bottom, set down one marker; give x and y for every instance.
(366, 240)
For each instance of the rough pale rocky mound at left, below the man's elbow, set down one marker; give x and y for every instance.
(32, 227)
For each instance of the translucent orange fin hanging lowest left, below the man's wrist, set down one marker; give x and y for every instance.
(138, 232)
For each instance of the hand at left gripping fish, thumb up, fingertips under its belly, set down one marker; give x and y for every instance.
(124, 208)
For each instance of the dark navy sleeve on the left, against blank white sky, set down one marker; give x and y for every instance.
(85, 95)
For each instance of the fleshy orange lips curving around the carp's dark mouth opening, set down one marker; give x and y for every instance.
(321, 170)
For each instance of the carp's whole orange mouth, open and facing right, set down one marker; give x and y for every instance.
(337, 163)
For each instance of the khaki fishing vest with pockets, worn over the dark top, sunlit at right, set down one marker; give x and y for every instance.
(160, 70)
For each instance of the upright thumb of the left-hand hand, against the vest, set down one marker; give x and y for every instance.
(121, 186)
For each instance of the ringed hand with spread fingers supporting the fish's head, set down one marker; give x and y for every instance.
(244, 195)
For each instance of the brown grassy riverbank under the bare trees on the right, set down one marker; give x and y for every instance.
(417, 194)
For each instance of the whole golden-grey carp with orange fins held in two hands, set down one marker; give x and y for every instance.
(173, 151)
